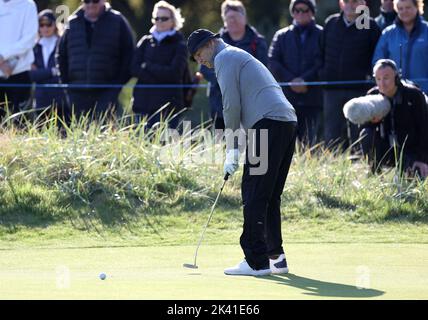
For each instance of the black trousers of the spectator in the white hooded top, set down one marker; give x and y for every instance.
(16, 99)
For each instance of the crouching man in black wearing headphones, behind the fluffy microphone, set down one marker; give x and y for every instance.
(401, 138)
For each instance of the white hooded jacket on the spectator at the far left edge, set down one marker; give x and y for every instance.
(18, 33)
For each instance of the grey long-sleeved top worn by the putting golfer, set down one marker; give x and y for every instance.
(250, 92)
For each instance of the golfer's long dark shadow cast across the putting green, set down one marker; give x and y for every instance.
(319, 288)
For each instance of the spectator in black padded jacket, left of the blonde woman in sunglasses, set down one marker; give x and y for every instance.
(96, 49)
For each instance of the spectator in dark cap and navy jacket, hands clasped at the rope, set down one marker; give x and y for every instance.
(295, 56)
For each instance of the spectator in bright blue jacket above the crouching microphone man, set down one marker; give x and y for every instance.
(406, 42)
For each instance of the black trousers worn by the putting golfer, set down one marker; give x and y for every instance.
(261, 193)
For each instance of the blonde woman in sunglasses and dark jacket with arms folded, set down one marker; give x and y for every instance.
(160, 59)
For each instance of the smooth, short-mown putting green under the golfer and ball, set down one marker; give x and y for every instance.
(317, 271)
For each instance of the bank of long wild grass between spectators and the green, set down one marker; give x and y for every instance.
(117, 181)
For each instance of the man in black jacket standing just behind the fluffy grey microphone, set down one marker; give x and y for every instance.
(347, 49)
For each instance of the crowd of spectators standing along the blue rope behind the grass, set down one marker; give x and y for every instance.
(96, 55)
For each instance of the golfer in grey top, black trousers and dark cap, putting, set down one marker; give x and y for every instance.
(253, 101)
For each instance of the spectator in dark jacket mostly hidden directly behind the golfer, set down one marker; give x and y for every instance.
(238, 33)
